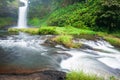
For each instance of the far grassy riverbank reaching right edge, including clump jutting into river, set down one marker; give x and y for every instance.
(88, 34)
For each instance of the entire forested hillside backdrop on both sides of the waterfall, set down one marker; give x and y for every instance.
(94, 14)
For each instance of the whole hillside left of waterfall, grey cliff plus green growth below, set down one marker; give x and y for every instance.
(8, 12)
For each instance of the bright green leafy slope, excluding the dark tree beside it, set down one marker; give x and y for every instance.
(78, 15)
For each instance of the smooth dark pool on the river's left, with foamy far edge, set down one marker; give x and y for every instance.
(23, 53)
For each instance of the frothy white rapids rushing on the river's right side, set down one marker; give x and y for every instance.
(101, 59)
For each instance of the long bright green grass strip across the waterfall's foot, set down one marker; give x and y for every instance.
(55, 30)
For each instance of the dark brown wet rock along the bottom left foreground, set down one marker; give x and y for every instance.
(43, 75)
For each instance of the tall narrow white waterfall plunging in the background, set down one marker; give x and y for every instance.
(22, 19)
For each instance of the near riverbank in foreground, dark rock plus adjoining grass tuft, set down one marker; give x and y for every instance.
(50, 75)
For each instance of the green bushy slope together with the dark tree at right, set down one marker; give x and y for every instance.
(102, 15)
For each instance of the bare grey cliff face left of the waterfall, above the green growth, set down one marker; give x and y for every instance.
(8, 8)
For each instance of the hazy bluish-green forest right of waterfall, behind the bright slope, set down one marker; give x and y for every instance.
(44, 7)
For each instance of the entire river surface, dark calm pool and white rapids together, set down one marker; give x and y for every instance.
(24, 53)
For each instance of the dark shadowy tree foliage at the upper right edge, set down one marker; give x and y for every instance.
(108, 15)
